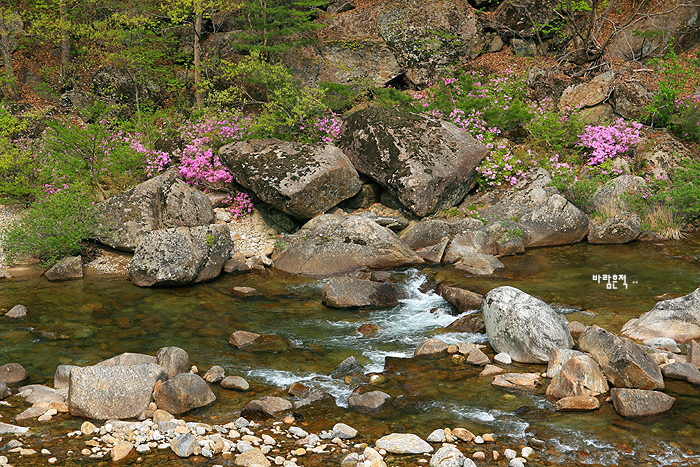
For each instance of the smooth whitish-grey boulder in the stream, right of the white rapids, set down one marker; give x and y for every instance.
(523, 326)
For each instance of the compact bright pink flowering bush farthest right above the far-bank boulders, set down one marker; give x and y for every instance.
(609, 141)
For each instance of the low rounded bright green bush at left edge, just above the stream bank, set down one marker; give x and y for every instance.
(52, 228)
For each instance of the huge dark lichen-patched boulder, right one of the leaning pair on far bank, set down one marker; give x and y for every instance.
(428, 165)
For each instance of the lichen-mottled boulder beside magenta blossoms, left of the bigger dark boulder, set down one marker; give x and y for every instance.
(302, 179)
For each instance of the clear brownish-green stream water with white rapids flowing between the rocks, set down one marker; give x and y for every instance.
(85, 321)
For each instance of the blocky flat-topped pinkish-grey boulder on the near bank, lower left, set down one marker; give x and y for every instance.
(112, 392)
